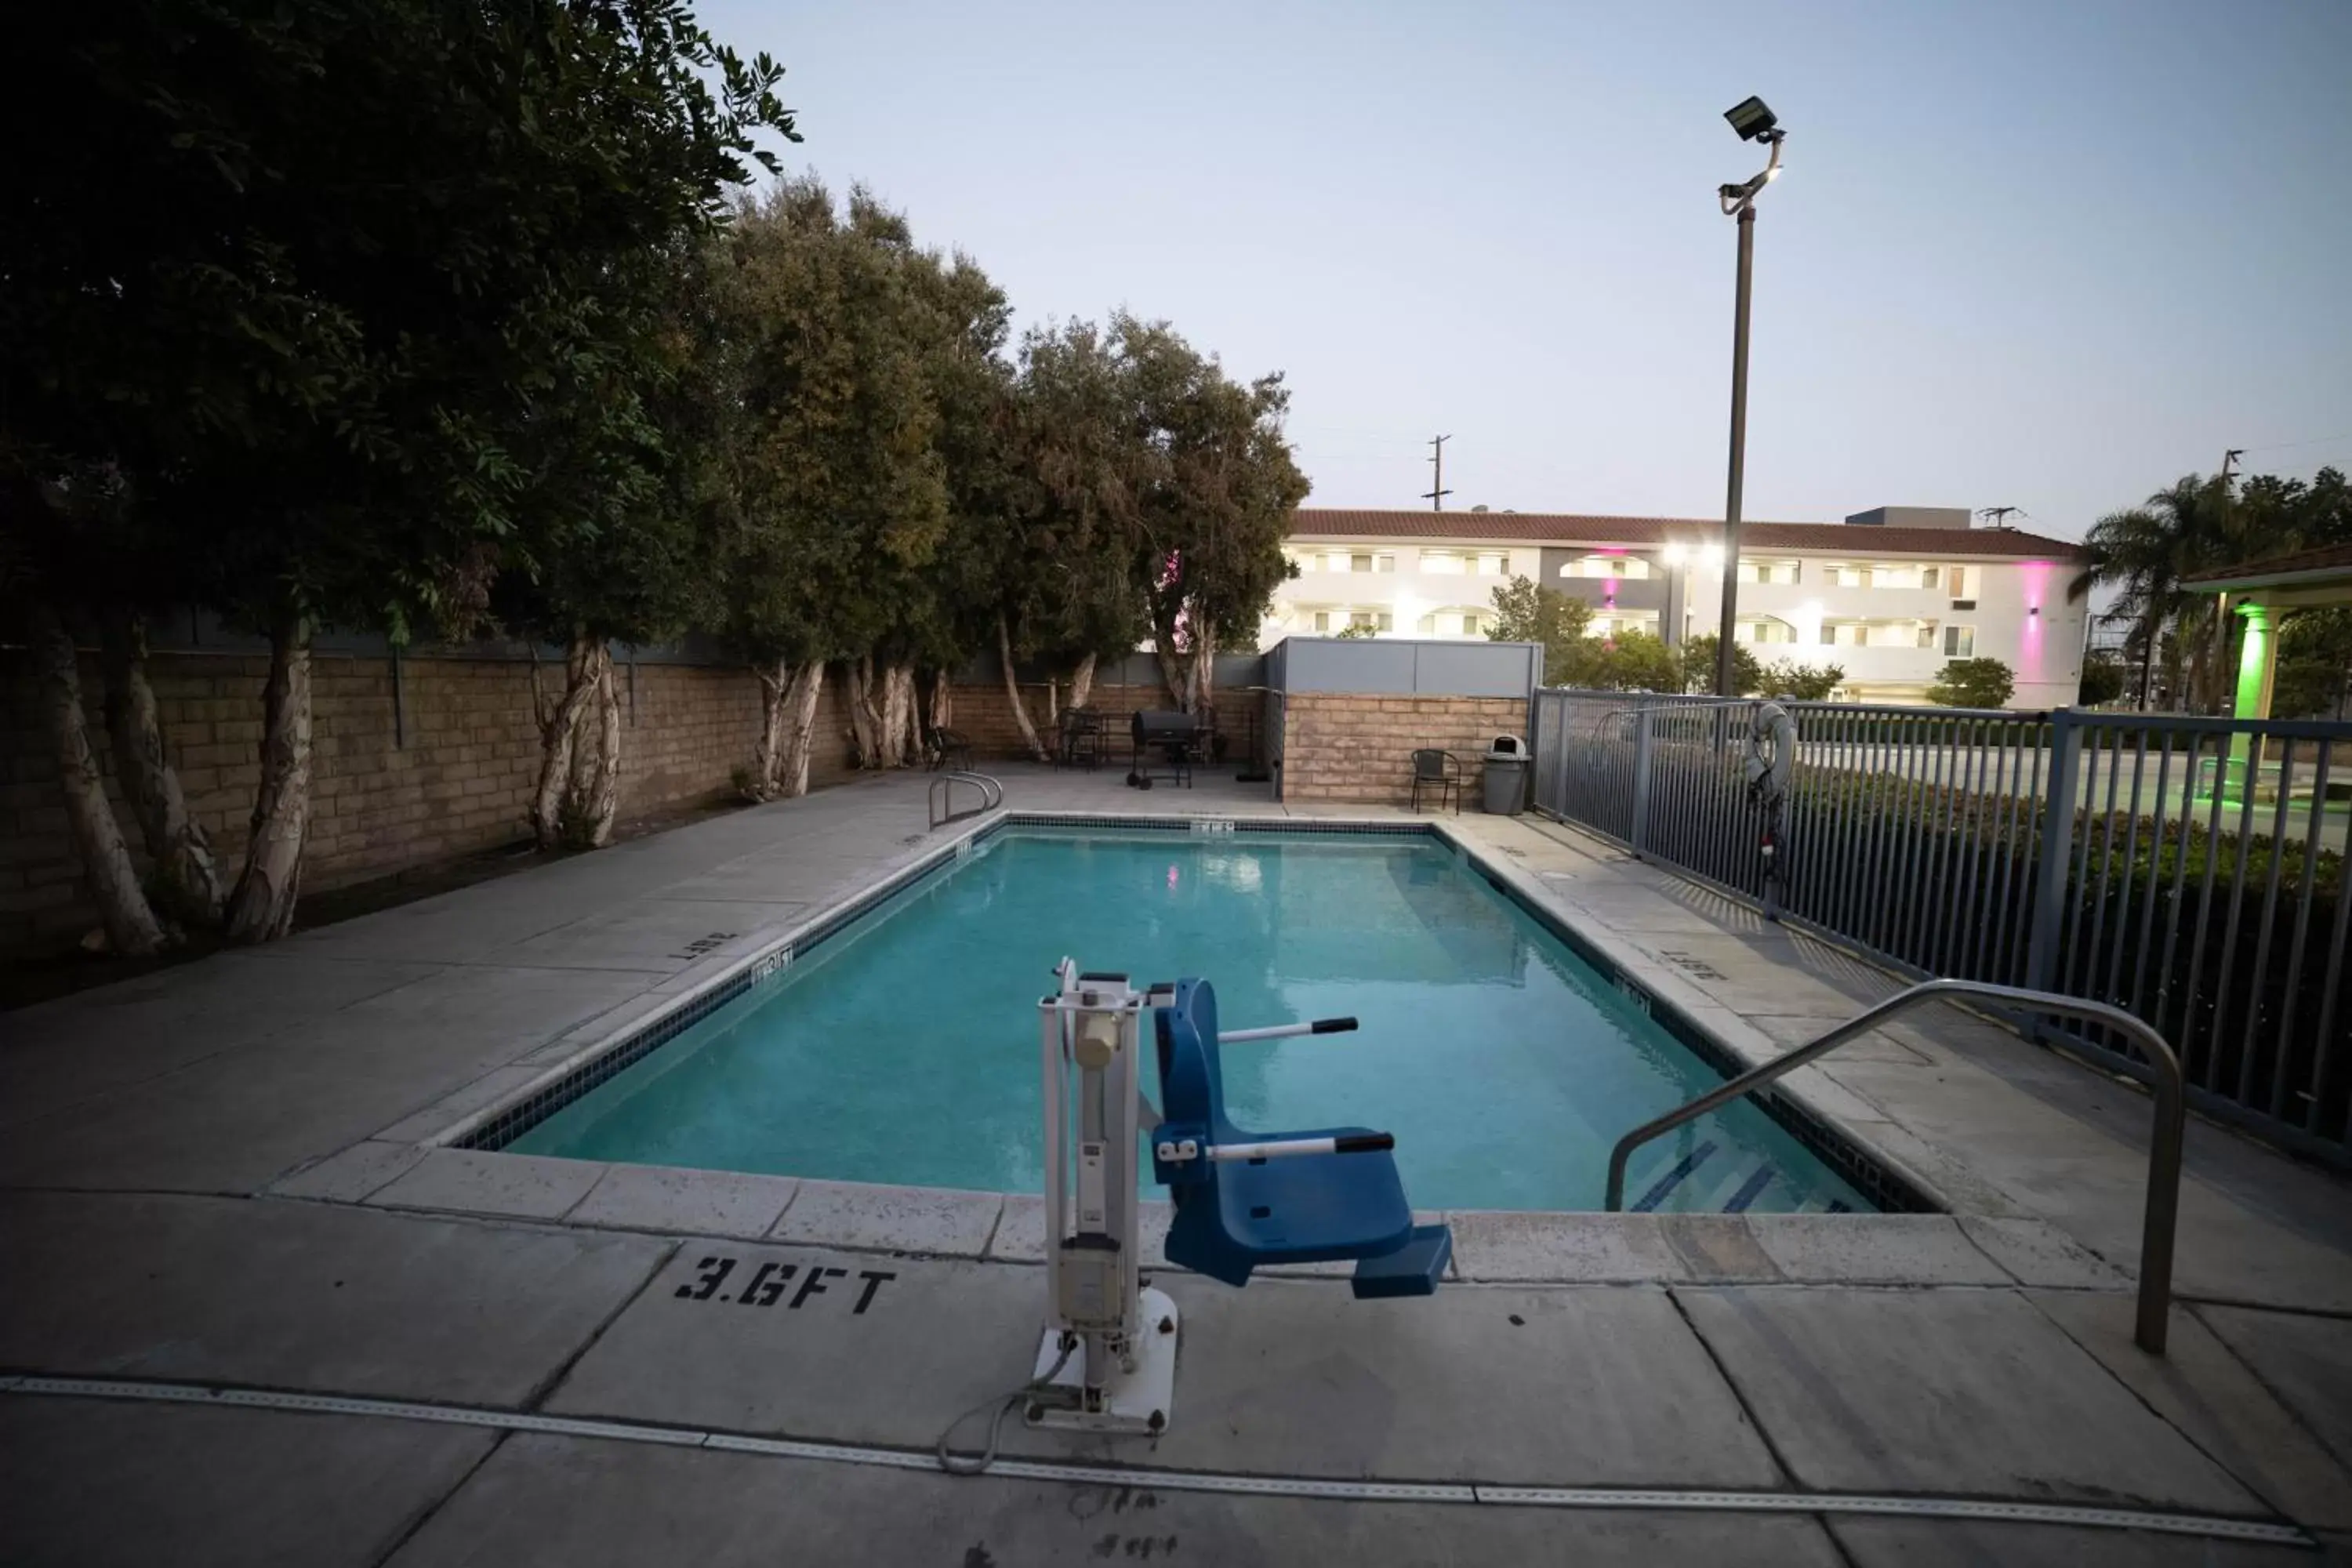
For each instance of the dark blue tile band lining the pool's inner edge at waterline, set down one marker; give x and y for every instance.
(500, 1125)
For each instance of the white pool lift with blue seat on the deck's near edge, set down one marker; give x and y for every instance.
(1243, 1200)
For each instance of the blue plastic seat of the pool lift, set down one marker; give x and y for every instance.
(1243, 1214)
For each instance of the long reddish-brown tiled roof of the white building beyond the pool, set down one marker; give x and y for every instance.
(1582, 530)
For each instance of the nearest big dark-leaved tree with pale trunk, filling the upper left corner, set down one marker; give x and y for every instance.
(382, 286)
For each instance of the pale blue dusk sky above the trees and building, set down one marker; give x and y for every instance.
(2043, 255)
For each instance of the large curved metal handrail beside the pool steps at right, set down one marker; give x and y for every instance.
(2163, 1214)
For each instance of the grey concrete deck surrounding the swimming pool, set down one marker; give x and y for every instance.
(222, 1179)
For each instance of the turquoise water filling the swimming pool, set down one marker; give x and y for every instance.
(904, 1050)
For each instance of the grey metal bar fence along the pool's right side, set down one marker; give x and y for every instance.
(2189, 871)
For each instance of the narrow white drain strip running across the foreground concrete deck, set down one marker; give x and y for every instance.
(1180, 1480)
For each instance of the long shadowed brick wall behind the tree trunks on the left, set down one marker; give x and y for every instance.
(455, 782)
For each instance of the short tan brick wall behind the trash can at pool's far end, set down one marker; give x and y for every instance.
(1361, 749)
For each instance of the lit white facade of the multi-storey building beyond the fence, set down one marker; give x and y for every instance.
(1887, 596)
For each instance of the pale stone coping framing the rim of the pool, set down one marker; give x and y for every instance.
(436, 1162)
